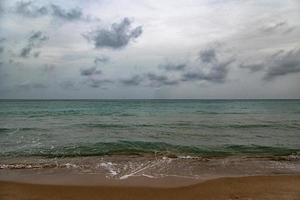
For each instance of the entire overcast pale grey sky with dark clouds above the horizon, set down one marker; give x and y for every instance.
(115, 49)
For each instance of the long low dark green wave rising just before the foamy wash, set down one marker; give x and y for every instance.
(141, 148)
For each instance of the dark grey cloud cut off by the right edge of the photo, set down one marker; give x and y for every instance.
(282, 64)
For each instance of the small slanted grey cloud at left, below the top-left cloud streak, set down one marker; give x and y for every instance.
(35, 40)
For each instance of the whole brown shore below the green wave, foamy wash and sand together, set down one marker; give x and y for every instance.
(136, 177)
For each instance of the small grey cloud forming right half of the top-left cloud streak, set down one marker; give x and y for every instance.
(68, 15)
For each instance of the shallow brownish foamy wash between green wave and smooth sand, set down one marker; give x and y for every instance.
(113, 168)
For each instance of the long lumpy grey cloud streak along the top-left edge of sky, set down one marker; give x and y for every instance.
(29, 9)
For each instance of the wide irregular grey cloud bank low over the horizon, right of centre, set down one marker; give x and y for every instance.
(212, 70)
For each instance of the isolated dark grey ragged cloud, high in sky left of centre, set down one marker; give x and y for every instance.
(117, 36)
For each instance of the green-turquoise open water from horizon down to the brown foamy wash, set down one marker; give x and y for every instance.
(54, 128)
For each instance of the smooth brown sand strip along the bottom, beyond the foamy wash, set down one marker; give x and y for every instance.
(253, 187)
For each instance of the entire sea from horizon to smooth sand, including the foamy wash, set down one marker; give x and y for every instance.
(118, 139)
